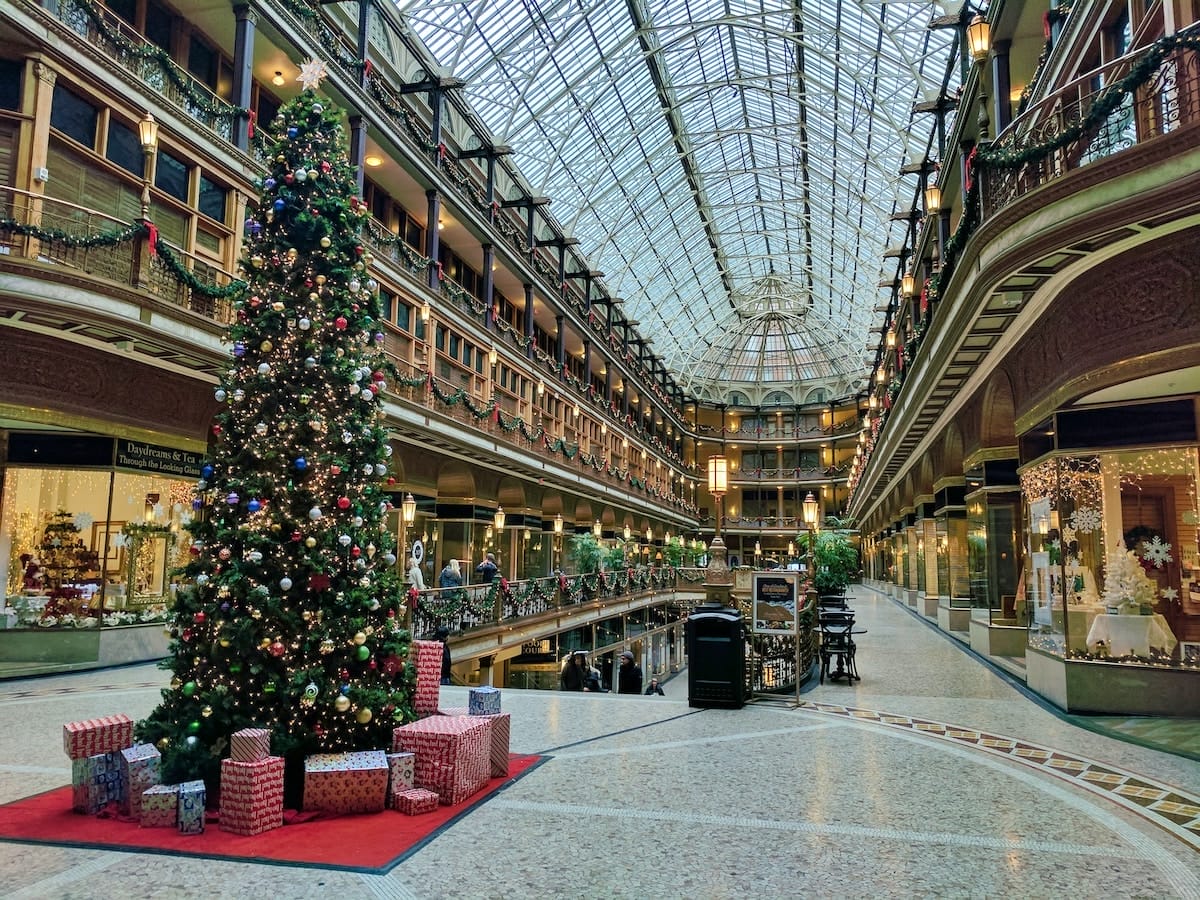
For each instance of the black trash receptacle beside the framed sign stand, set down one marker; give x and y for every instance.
(717, 655)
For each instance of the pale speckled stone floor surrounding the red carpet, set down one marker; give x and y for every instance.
(931, 777)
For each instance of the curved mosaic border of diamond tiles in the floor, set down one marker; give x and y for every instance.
(1165, 806)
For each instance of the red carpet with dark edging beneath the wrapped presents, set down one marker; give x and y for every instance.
(369, 844)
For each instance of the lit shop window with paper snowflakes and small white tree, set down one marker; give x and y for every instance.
(1113, 566)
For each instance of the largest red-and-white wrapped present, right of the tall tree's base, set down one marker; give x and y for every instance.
(453, 754)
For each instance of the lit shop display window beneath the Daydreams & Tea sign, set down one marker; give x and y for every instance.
(85, 549)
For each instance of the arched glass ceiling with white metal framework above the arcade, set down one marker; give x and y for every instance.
(731, 166)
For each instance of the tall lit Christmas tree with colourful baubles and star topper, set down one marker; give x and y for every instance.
(292, 619)
